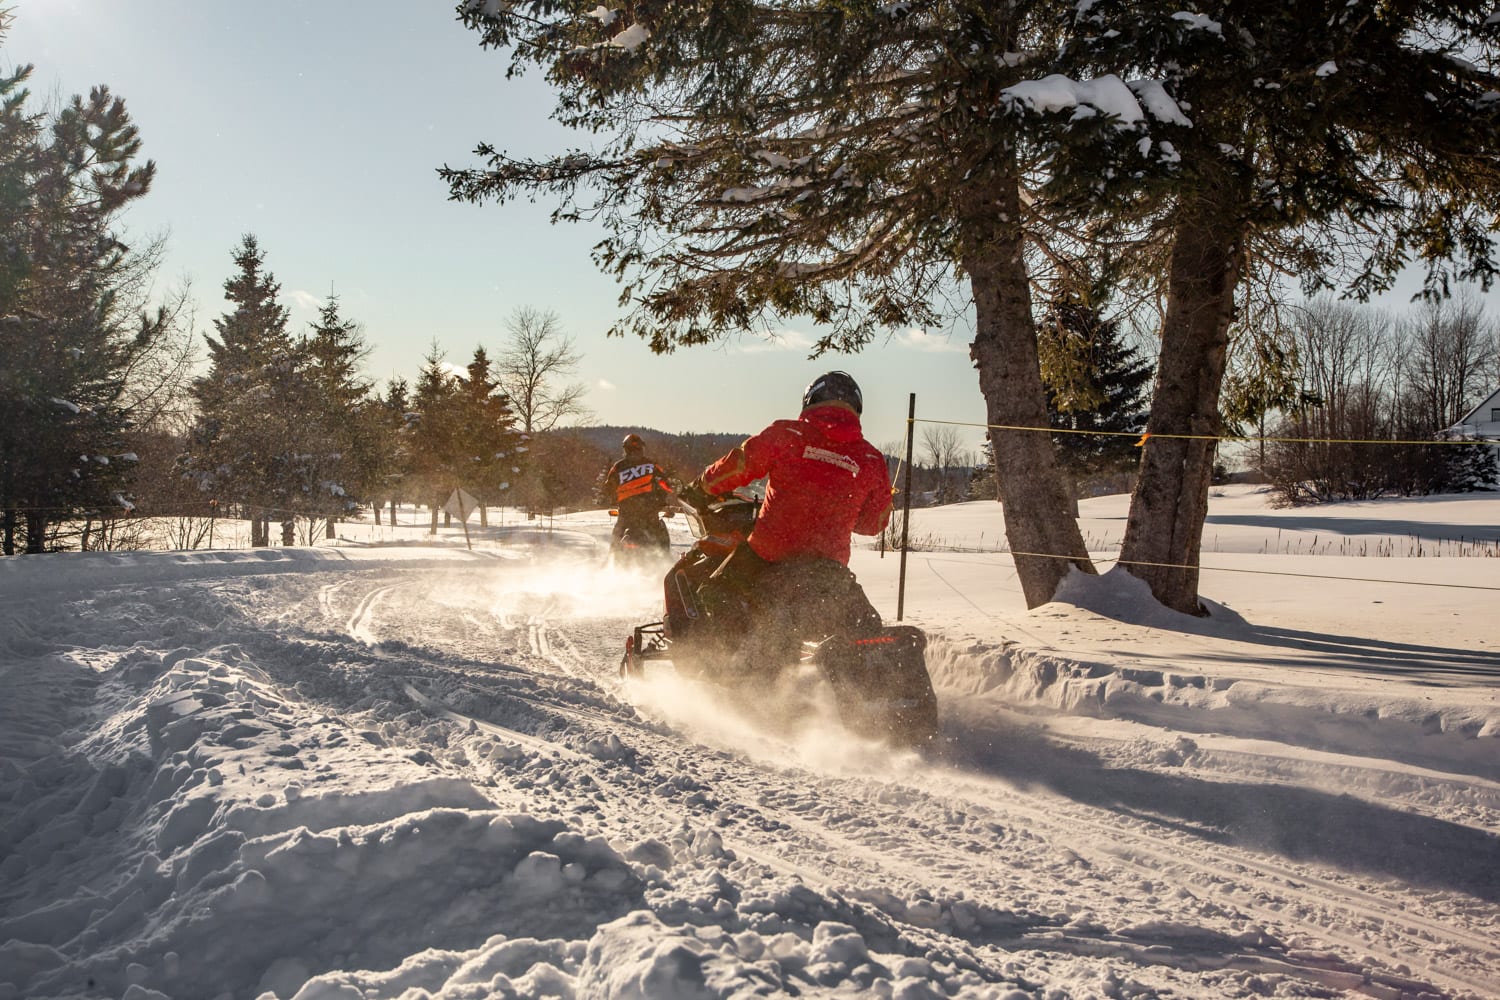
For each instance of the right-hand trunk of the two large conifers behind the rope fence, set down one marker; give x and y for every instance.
(1165, 531)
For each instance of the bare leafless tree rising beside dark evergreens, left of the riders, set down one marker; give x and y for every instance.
(533, 370)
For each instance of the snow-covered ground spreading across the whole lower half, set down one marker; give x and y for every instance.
(398, 768)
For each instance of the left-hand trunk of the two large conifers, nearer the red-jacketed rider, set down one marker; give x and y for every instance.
(1043, 536)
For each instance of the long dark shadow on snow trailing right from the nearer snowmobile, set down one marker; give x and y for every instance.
(1294, 822)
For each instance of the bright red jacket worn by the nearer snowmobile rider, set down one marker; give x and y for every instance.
(826, 482)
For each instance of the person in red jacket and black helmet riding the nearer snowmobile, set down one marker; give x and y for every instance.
(824, 482)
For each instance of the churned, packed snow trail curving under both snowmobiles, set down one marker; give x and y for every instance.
(1003, 855)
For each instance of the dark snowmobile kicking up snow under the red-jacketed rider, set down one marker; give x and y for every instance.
(878, 680)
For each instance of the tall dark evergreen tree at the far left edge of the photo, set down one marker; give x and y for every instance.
(67, 337)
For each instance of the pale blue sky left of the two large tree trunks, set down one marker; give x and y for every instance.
(319, 127)
